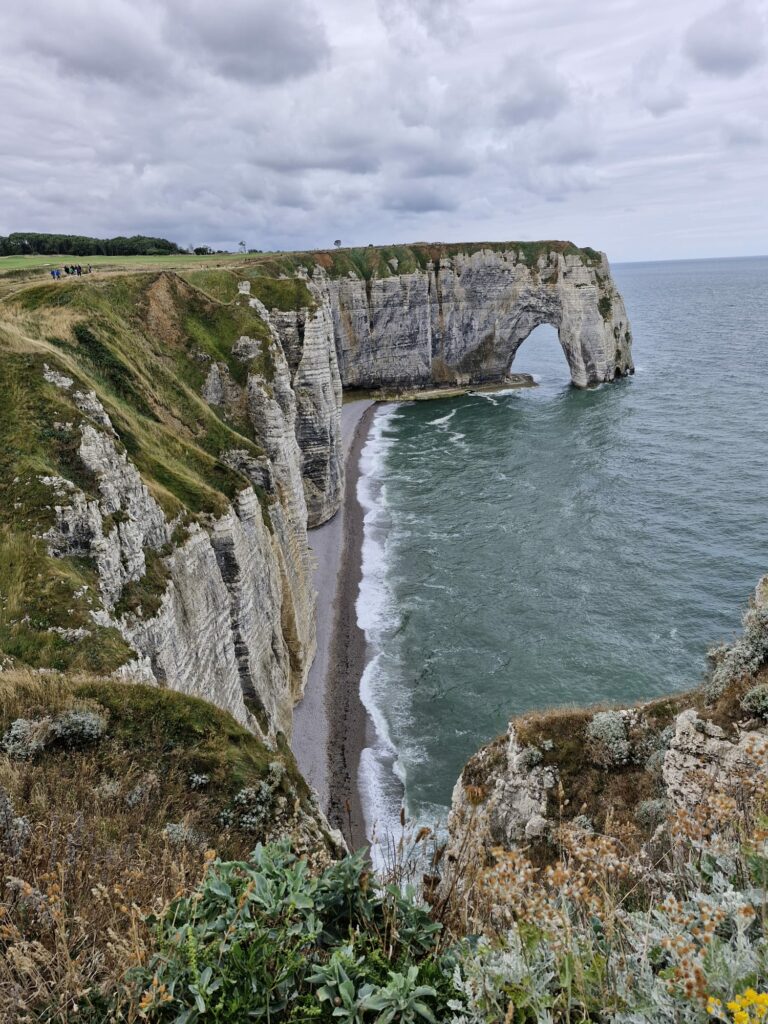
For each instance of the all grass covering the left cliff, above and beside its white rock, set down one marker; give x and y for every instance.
(144, 344)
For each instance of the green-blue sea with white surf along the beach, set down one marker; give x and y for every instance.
(552, 546)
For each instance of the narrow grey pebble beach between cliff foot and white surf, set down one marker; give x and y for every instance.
(331, 709)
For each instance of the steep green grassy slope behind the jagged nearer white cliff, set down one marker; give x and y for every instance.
(145, 344)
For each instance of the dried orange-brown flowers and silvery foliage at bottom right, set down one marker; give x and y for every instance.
(672, 934)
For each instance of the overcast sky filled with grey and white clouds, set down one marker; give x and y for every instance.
(639, 127)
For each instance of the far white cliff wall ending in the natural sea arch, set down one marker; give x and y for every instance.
(462, 320)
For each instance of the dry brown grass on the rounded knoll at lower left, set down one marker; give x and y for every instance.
(84, 859)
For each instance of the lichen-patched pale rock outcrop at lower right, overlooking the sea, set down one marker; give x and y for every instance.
(620, 771)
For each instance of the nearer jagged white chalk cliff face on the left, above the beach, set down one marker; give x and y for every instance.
(236, 623)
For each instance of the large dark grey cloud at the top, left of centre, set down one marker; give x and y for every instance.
(255, 41)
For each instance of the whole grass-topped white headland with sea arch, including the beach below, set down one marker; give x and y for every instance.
(175, 437)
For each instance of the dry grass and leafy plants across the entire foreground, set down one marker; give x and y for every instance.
(137, 885)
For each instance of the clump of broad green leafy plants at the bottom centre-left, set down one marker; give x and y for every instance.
(265, 940)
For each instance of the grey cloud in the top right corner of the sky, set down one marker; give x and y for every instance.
(728, 41)
